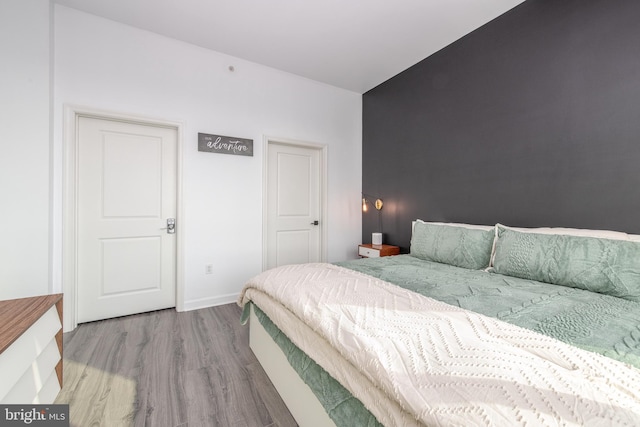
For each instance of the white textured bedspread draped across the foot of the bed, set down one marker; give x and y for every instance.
(412, 360)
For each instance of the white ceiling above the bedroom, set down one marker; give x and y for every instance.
(351, 44)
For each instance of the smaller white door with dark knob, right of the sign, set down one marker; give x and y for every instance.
(293, 205)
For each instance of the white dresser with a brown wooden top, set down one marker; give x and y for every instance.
(31, 349)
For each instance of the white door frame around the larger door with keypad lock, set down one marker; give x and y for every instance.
(72, 115)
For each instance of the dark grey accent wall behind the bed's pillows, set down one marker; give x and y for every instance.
(531, 120)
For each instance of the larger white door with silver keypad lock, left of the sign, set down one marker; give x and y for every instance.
(126, 193)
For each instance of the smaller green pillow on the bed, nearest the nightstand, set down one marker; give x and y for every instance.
(448, 244)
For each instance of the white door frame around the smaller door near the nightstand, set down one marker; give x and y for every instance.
(324, 230)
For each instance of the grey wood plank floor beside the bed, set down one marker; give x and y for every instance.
(168, 369)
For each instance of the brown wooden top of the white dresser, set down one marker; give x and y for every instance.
(17, 315)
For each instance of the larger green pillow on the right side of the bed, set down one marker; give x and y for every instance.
(610, 267)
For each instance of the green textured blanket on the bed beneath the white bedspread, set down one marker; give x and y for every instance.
(595, 322)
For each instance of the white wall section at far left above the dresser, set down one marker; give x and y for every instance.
(24, 147)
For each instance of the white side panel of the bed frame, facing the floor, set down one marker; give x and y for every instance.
(302, 403)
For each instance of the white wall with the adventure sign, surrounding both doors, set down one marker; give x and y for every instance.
(106, 65)
